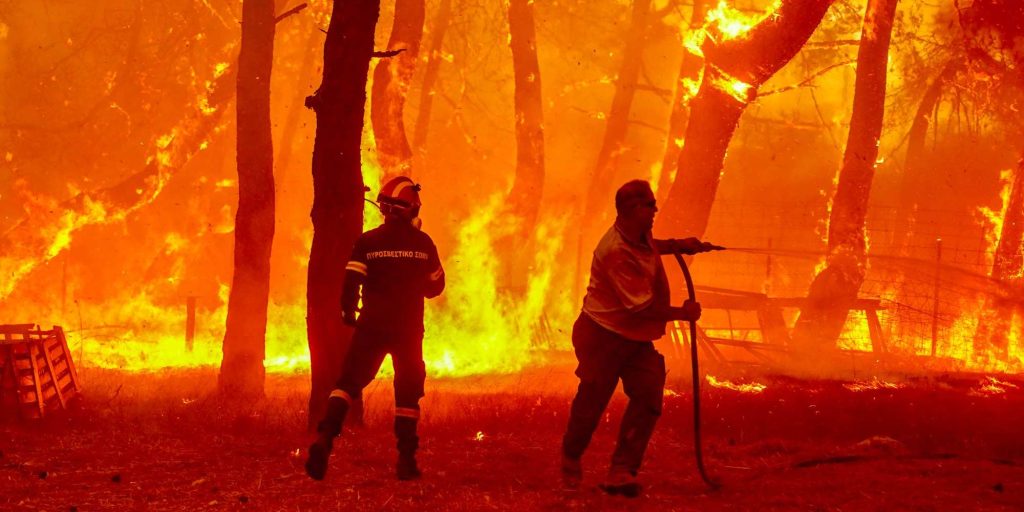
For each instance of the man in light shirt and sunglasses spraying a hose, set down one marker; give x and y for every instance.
(625, 310)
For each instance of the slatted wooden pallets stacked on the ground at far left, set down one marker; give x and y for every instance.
(37, 374)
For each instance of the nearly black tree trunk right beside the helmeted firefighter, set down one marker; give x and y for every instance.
(337, 211)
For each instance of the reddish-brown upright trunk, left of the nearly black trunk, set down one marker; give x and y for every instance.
(242, 369)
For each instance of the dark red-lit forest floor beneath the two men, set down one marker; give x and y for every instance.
(166, 442)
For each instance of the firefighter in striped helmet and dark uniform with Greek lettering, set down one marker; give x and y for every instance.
(397, 267)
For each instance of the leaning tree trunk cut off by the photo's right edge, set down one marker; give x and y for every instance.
(992, 337)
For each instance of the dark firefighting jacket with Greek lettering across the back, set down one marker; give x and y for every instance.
(397, 267)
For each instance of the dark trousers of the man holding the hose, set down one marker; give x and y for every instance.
(605, 358)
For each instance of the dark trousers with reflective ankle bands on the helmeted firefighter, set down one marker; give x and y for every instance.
(370, 345)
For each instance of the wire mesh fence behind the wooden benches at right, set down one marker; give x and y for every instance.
(931, 275)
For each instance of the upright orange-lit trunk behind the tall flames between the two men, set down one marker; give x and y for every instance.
(525, 199)
